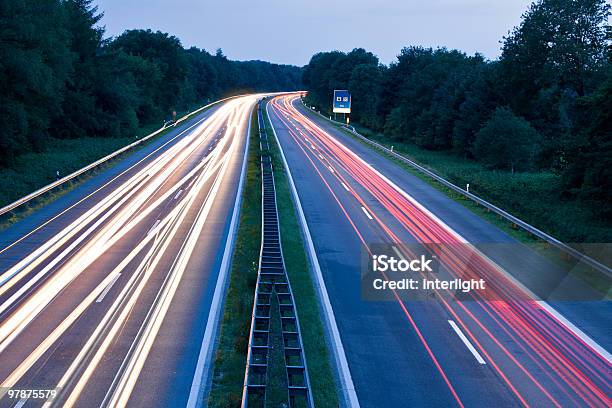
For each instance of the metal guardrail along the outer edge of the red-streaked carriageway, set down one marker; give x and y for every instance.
(504, 214)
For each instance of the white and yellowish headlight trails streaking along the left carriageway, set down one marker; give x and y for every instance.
(107, 279)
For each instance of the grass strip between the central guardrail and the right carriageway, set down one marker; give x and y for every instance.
(322, 381)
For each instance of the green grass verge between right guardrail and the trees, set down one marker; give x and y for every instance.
(565, 219)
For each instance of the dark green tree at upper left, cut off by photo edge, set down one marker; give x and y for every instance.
(34, 64)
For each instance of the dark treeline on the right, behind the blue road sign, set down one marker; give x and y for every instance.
(544, 105)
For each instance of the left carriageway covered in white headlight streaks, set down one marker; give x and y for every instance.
(110, 294)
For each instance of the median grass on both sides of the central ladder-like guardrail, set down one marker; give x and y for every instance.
(230, 358)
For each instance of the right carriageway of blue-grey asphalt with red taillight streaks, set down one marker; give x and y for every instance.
(511, 347)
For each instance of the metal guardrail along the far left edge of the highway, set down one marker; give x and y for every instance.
(51, 186)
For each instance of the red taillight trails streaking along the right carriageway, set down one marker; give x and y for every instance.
(531, 349)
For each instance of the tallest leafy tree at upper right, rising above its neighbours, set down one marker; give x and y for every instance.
(552, 58)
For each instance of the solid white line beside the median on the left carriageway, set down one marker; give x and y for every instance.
(203, 366)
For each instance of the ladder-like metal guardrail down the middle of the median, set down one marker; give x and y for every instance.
(272, 280)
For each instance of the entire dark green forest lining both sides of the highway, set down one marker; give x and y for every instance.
(538, 119)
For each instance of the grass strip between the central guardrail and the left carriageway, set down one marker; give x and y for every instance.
(230, 358)
